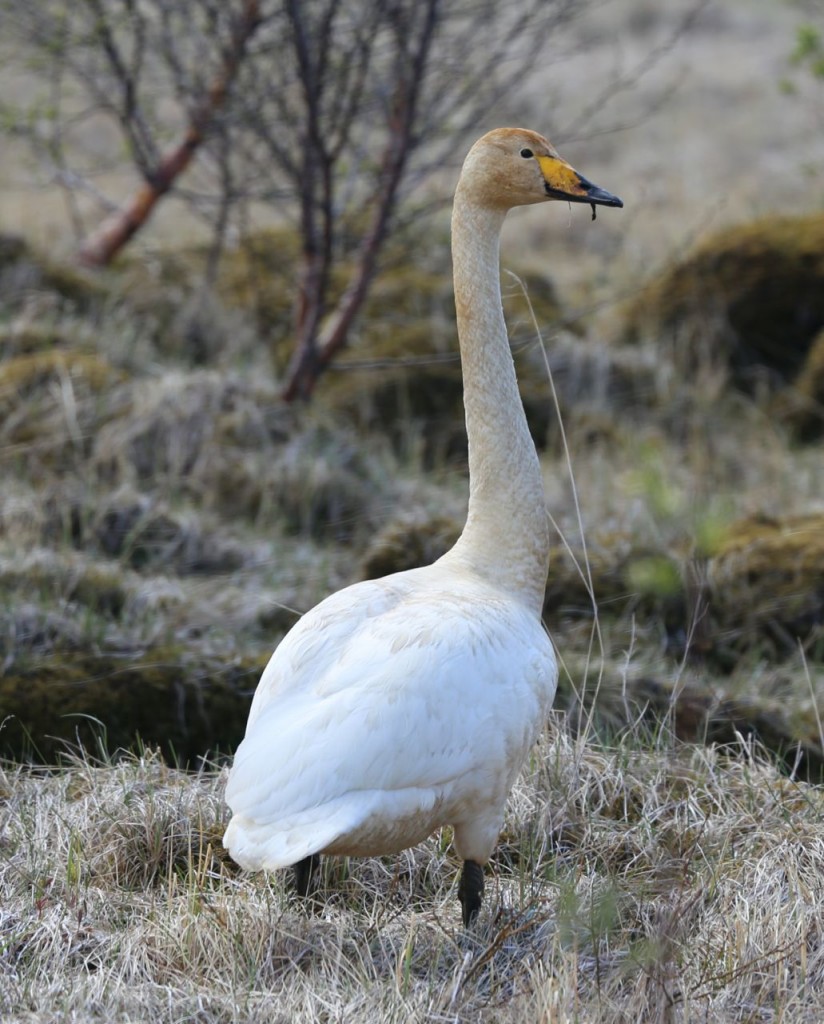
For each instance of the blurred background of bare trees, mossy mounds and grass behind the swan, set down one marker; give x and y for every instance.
(213, 416)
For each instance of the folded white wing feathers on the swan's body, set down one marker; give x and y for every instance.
(423, 706)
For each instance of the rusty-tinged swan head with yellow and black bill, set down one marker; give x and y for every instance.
(515, 167)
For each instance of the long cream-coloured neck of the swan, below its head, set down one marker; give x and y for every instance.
(506, 538)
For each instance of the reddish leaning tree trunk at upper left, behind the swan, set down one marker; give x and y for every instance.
(117, 230)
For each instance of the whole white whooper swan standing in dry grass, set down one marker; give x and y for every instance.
(401, 705)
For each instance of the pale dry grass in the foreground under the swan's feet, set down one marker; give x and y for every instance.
(650, 883)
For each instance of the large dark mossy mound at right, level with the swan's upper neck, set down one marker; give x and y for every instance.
(751, 297)
